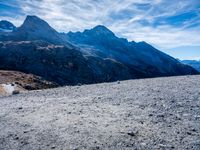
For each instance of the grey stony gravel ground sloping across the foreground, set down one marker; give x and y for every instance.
(160, 113)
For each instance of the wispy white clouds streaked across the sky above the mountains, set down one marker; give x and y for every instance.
(77, 15)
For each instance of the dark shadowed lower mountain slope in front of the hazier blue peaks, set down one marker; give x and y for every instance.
(59, 63)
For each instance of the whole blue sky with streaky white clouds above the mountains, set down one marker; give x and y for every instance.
(172, 26)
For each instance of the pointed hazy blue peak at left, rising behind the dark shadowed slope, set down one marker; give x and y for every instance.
(34, 28)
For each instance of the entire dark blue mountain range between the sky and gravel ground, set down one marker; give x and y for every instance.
(92, 56)
